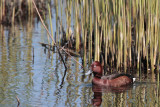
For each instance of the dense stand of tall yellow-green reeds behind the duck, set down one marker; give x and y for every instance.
(122, 34)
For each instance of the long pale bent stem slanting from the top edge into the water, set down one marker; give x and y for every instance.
(52, 37)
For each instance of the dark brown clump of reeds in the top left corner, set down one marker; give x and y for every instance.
(20, 11)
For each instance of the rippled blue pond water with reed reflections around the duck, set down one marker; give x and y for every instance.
(37, 77)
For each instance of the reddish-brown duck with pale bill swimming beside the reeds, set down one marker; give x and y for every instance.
(113, 80)
